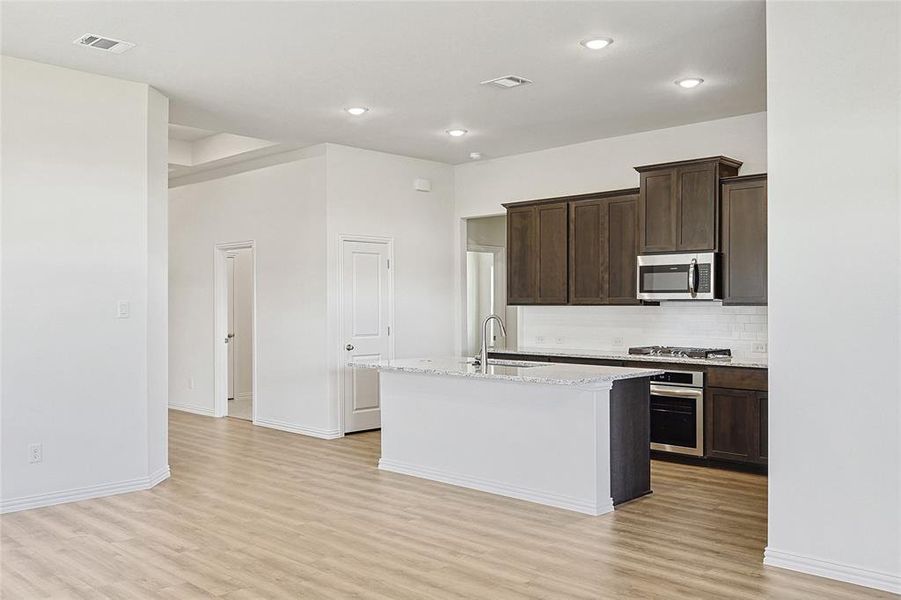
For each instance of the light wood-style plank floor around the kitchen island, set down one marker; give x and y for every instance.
(256, 513)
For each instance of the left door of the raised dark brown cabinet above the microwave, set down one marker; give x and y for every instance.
(658, 211)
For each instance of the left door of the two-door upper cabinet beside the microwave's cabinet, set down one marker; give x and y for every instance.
(587, 258)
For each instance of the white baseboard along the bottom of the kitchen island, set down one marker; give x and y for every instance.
(502, 489)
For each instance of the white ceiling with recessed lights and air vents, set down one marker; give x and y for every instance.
(283, 71)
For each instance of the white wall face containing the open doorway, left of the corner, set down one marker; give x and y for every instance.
(281, 208)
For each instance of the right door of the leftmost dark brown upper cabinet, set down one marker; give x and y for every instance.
(553, 251)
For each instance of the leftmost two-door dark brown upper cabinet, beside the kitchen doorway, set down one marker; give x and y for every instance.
(537, 265)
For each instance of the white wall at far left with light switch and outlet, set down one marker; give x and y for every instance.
(83, 227)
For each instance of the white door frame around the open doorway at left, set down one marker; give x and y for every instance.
(220, 325)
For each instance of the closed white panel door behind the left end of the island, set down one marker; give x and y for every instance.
(366, 312)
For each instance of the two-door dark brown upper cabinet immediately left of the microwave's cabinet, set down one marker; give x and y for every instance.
(603, 245)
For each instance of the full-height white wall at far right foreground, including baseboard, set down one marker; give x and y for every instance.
(835, 461)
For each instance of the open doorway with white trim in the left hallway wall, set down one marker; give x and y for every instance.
(235, 327)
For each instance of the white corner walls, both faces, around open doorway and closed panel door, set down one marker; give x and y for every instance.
(294, 207)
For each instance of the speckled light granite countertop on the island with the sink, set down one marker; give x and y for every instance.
(510, 370)
